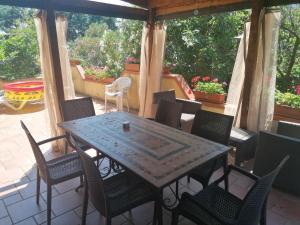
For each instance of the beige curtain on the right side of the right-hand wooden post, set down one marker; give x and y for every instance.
(261, 107)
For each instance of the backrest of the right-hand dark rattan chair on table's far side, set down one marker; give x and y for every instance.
(213, 126)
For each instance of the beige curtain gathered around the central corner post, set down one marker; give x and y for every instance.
(151, 67)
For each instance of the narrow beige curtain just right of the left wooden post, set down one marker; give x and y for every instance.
(61, 28)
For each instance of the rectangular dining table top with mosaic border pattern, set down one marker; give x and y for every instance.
(153, 151)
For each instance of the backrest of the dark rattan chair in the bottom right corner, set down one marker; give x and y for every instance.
(254, 201)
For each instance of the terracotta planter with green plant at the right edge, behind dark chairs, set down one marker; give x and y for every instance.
(287, 105)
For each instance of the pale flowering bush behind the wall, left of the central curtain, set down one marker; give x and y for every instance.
(104, 47)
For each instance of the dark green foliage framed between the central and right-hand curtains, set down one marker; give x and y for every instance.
(205, 45)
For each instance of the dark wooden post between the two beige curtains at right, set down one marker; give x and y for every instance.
(251, 60)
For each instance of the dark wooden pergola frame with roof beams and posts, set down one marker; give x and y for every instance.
(151, 11)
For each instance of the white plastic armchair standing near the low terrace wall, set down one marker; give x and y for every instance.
(118, 89)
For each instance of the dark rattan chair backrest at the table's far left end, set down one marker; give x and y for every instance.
(77, 108)
